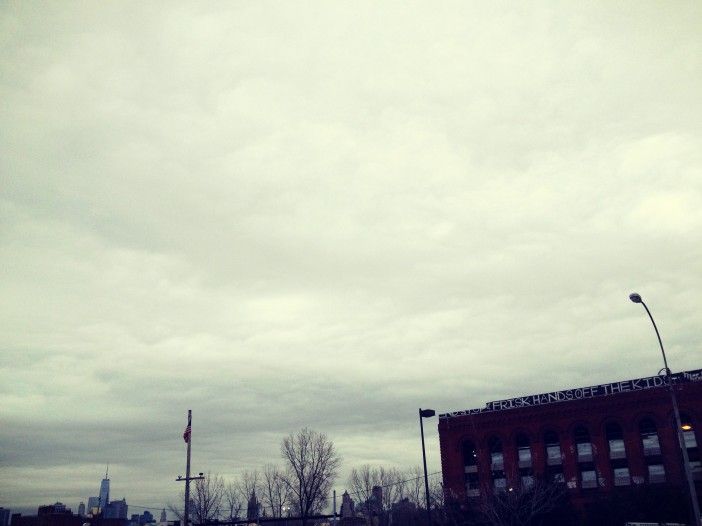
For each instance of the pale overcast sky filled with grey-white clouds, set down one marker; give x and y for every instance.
(328, 214)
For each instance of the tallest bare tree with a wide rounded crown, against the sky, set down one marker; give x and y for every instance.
(312, 464)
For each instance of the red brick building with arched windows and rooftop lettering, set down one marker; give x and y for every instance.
(591, 439)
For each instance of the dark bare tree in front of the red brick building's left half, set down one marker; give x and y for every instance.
(520, 506)
